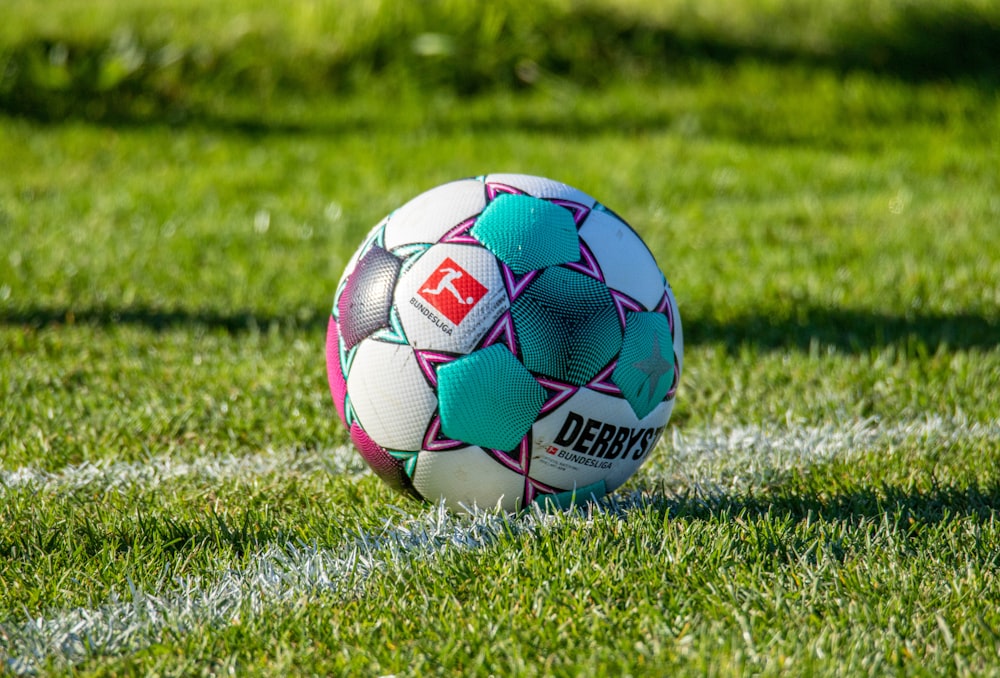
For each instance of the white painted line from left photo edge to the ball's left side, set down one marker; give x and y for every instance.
(104, 475)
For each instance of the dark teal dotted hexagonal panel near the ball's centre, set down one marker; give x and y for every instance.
(567, 326)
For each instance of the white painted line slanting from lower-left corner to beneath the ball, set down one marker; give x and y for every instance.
(278, 573)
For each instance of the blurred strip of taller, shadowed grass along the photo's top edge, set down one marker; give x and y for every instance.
(144, 59)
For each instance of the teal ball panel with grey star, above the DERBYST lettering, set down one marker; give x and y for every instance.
(645, 370)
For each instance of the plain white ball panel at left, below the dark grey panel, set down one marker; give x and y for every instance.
(390, 396)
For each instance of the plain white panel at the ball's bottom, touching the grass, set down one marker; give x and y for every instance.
(468, 476)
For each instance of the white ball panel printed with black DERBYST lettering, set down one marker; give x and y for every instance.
(591, 437)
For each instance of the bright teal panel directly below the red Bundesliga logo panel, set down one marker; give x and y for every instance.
(488, 398)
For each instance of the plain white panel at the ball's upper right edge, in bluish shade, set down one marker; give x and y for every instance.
(627, 263)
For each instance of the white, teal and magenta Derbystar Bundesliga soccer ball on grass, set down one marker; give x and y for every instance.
(503, 340)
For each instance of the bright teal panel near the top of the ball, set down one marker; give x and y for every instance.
(527, 233)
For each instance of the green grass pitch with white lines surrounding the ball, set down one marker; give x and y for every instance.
(824, 500)
